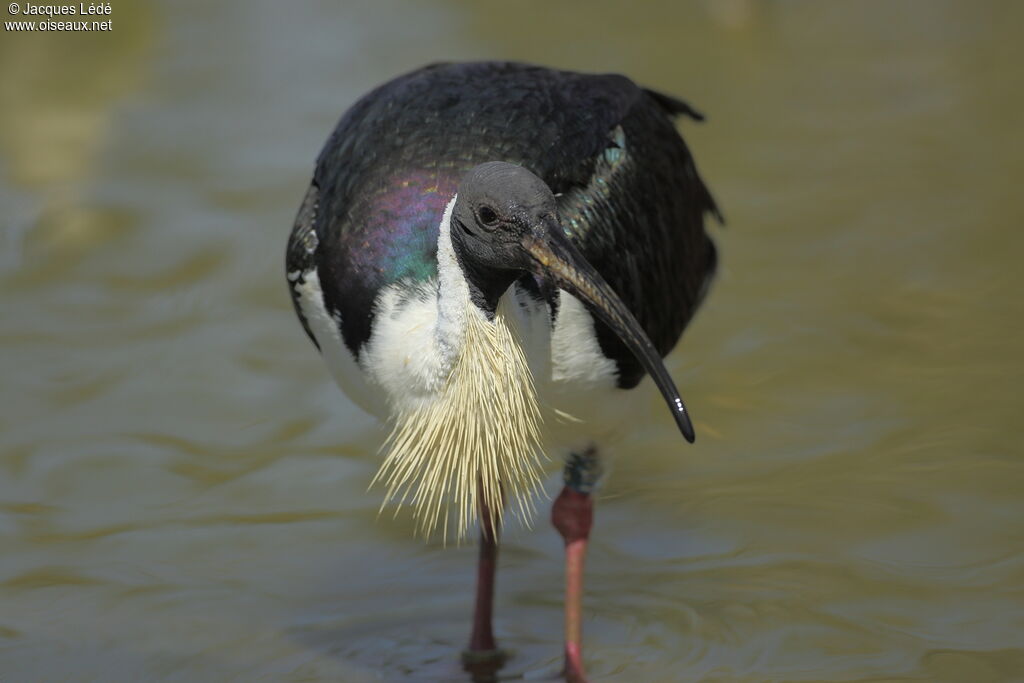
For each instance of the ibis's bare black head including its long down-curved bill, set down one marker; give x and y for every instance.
(505, 224)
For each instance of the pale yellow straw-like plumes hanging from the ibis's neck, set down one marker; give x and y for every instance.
(478, 443)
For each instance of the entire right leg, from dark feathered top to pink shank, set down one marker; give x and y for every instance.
(573, 516)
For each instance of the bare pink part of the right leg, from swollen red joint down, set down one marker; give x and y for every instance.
(573, 516)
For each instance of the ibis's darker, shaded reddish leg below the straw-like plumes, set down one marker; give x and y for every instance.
(483, 651)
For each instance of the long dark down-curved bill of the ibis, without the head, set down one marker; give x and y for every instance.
(554, 259)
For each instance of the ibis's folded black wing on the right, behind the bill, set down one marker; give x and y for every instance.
(641, 222)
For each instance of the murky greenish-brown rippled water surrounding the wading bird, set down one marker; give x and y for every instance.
(183, 492)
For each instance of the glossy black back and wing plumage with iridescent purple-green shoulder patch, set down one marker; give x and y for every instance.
(629, 193)
